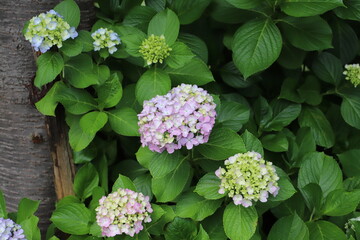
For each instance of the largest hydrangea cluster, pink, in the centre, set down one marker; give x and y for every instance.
(184, 116)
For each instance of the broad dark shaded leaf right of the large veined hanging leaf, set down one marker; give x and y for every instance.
(310, 33)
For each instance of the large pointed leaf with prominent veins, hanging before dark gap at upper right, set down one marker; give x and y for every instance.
(256, 45)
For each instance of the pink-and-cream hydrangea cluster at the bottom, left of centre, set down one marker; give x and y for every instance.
(123, 211)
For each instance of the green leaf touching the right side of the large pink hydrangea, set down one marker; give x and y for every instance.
(233, 115)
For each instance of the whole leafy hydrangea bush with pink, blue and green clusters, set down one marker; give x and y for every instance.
(206, 119)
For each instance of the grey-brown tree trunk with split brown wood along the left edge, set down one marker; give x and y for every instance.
(26, 166)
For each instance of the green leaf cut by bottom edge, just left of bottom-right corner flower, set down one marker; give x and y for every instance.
(325, 230)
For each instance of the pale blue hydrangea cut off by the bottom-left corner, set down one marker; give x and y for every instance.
(9, 230)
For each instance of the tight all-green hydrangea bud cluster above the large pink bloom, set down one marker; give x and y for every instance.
(154, 49)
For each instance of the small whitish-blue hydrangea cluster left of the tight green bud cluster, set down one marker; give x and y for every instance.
(105, 38)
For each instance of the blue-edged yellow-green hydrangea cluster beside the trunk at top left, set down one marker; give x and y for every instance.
(48, 29)
